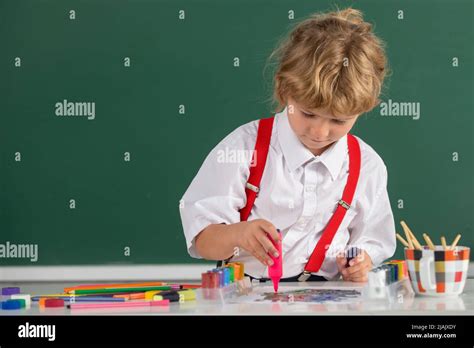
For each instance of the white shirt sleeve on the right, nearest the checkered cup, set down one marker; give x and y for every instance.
(376, 233)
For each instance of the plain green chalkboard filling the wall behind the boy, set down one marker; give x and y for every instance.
(190, 62)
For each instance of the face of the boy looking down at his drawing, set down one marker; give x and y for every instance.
(317, 129)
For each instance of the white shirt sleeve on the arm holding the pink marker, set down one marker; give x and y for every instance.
(217, 192)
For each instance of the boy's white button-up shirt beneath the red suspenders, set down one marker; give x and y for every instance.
(298, 194)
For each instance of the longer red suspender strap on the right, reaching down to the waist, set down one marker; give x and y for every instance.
(319, 252)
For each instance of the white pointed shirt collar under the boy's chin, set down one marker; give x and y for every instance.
(296, 154)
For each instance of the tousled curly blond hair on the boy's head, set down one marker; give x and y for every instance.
(332, 61)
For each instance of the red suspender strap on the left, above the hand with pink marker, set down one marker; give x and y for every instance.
(259, 159)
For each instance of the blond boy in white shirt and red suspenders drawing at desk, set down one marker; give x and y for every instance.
(331, 70)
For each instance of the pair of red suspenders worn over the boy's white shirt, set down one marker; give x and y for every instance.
(259, 160)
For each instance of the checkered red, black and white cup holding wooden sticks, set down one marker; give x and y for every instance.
(438, 272)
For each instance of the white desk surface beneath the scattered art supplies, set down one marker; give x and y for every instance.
(460, 305)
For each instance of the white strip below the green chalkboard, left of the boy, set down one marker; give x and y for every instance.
(115, 272)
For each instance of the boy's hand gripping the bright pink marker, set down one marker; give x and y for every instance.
(254, 239)
